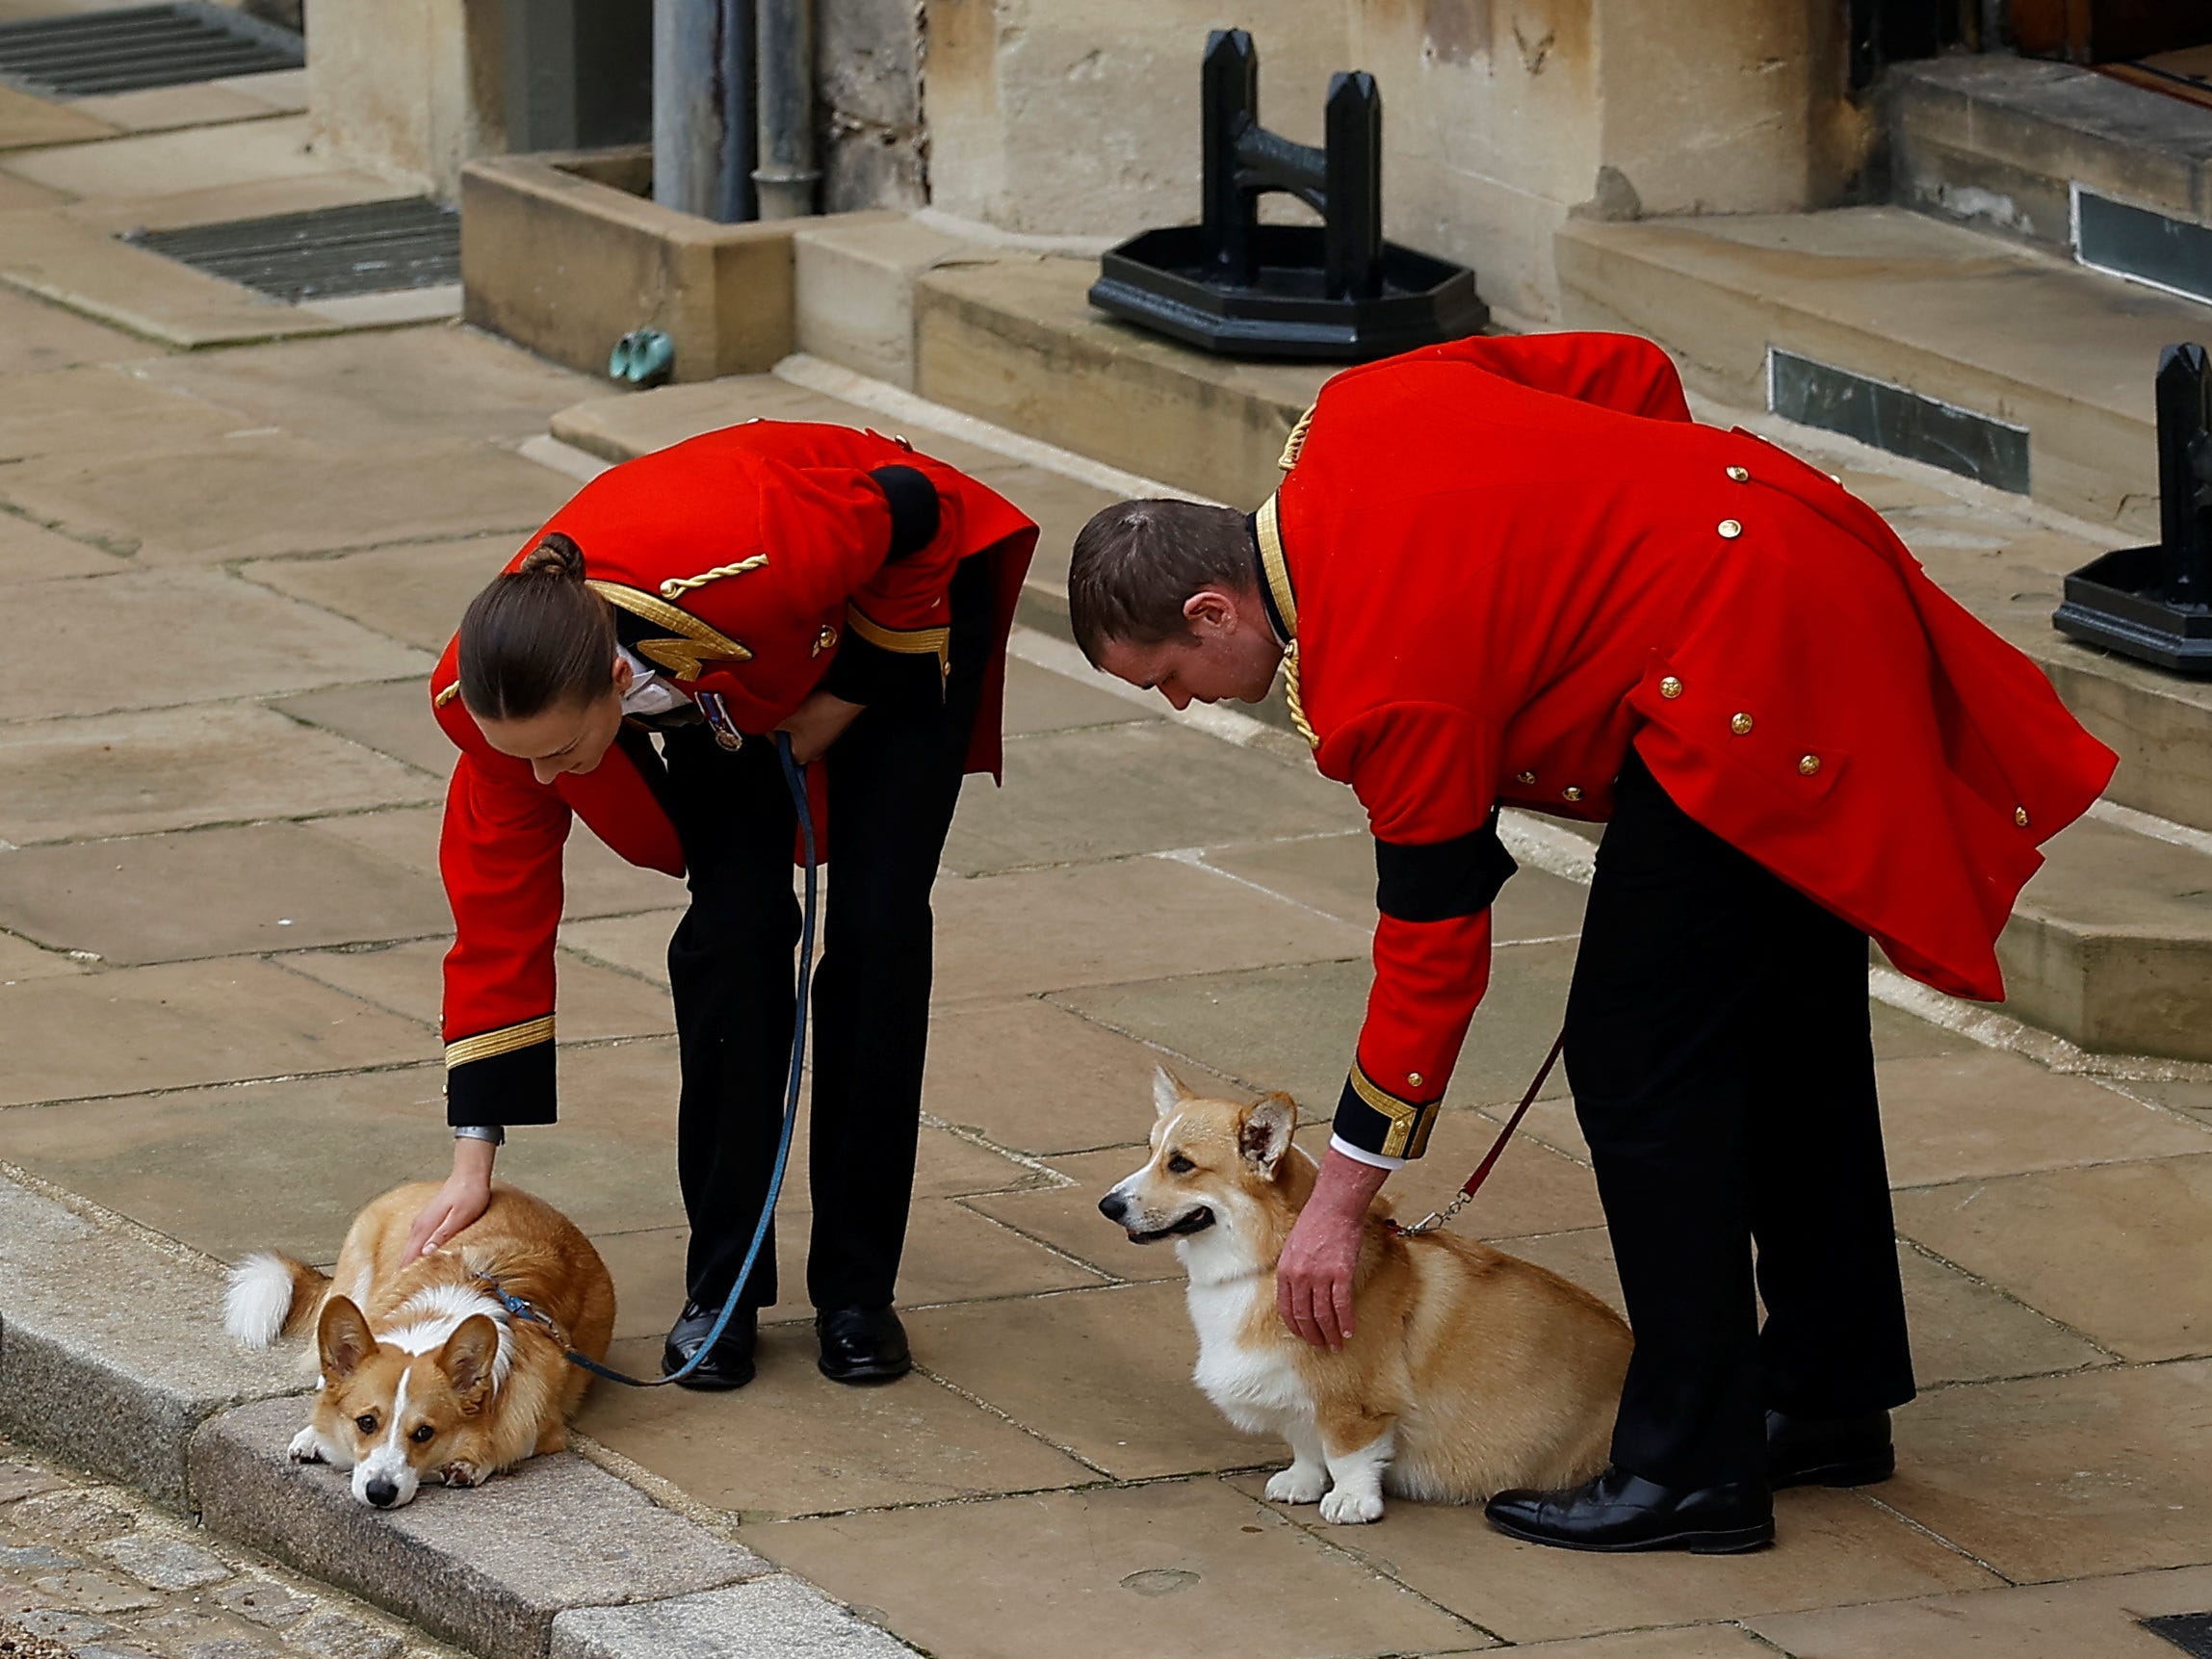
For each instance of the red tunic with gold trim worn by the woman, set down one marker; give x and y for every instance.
(747, 563)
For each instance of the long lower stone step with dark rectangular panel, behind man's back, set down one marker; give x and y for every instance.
(1928, 340)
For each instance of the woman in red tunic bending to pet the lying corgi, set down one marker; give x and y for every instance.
(629, 669)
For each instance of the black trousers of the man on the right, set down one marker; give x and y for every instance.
(1722, 1058)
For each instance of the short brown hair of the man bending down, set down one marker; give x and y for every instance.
(1138, 563)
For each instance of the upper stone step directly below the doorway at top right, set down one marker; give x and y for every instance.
(2003, 143)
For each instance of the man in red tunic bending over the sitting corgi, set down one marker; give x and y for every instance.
(1514, 572)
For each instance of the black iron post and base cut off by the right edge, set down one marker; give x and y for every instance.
(2156, 603)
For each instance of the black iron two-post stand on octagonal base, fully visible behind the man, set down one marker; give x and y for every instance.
(1231, 284)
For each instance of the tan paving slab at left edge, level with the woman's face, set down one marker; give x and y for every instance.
(180, 769)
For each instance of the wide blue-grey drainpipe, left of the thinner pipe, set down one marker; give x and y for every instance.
(705, 107)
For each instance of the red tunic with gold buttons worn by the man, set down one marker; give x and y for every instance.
(1505, 561)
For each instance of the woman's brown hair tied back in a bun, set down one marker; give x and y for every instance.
(536, 638)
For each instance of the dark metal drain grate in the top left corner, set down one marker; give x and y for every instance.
(125, 52)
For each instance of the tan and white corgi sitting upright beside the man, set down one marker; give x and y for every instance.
(1468, 1373)
